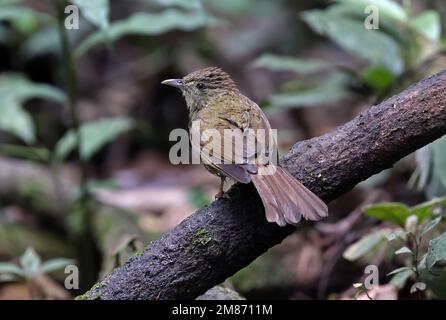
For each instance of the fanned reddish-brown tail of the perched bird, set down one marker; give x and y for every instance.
(285, 199)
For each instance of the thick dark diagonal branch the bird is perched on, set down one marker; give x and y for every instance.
(227, 235)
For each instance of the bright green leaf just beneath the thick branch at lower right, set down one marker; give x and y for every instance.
(393, 212)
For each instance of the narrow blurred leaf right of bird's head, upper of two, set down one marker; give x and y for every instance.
(283, 63)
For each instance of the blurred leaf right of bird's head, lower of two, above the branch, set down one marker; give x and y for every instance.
(328, 91)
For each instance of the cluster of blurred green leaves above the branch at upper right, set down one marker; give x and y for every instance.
(394, 53)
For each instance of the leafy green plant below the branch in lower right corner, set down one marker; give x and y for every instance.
(409, 229)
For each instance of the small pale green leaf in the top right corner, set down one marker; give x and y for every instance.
(428, 24)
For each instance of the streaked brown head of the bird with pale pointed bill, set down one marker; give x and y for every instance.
(200, 87)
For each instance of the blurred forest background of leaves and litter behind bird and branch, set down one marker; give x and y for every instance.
(84, 125)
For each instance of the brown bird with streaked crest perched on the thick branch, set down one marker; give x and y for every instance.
(216, 104)
